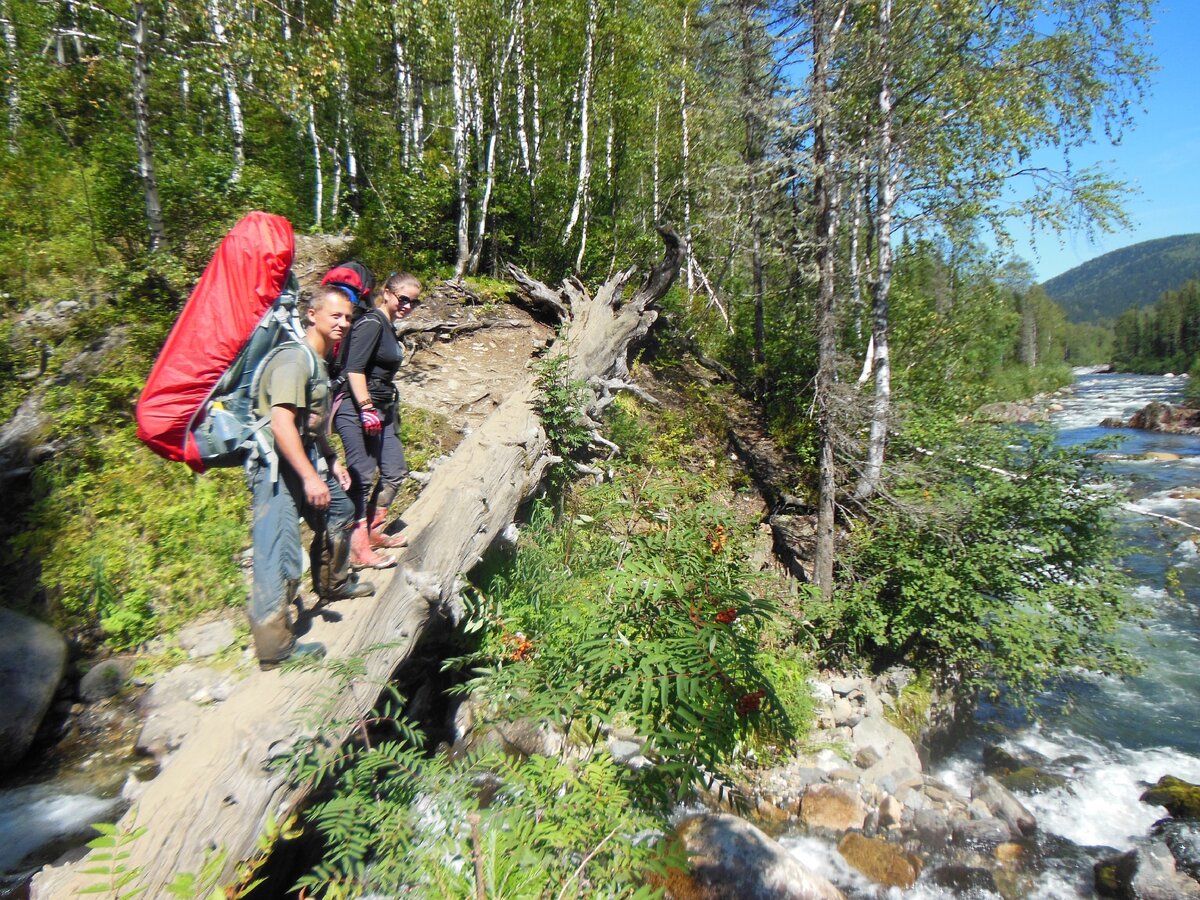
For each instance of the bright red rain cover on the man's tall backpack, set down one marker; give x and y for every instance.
(239, 285)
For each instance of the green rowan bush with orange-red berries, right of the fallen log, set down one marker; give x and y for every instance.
(637, 610)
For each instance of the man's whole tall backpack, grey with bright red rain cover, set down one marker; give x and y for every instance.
(199, 403)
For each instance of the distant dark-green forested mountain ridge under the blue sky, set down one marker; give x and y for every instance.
(1137, 275)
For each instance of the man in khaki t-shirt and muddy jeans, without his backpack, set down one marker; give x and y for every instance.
(310, 483)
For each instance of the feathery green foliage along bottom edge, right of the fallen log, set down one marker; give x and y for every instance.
(400, 821)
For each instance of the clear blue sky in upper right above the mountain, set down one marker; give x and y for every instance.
(1160, 157)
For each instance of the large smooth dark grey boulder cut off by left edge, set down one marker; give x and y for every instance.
(33, 659)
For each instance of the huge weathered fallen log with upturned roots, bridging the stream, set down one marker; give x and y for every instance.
(221, 790)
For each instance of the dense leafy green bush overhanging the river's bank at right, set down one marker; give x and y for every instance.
(997, 565)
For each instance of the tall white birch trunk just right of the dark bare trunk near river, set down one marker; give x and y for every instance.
(881, 409)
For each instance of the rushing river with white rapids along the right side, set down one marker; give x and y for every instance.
(1114, 736)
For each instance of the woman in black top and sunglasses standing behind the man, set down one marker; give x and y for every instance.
(368, 419)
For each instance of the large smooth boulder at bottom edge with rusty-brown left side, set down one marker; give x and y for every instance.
(731, 859)
